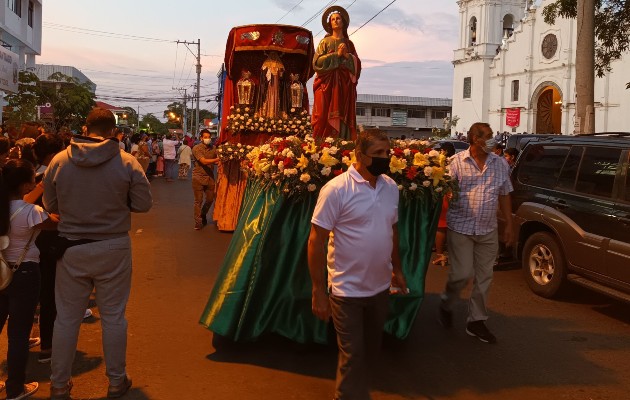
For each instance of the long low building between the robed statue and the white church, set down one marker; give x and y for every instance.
(402, 115)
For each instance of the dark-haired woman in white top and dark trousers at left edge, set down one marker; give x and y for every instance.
(21, 221)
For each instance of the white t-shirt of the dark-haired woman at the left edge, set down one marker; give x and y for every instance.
(21, 230)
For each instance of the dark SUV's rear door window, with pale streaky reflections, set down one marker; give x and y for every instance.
(597, 171)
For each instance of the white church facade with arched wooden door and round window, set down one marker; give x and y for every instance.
(509, 61)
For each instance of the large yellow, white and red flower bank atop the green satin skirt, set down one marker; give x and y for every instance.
(301, 166)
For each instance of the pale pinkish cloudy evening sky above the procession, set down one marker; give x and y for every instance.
(129, 49)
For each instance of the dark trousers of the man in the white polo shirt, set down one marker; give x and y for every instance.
(359, 324)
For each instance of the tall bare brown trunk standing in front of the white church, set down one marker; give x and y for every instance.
(585, 67)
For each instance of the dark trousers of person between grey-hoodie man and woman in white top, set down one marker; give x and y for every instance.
(47, 308)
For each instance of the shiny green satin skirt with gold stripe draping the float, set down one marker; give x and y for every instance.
(264, 284)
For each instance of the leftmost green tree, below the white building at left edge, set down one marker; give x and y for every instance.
(22, 106)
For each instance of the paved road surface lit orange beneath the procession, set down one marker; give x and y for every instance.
(577, 348)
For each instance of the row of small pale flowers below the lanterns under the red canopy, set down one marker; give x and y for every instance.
(243, 119)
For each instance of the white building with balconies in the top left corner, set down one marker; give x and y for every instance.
(21, 29)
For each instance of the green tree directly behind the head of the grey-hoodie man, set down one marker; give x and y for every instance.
(71, 100)
